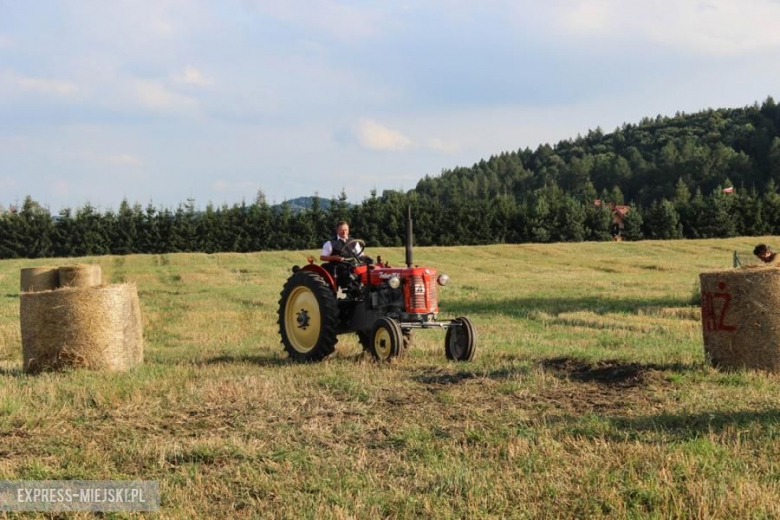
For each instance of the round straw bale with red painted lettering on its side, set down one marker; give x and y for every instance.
(740, 310)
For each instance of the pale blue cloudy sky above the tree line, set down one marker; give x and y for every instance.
(158, 101)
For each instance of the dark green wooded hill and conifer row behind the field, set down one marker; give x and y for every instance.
(670, 170)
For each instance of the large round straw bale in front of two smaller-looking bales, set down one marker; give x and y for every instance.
(91, 327)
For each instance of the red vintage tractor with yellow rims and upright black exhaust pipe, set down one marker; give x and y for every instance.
(382, 304)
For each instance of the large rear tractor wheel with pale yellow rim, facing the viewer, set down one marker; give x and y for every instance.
(308, 316)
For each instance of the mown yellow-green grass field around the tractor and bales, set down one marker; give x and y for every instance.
(589, 395)
